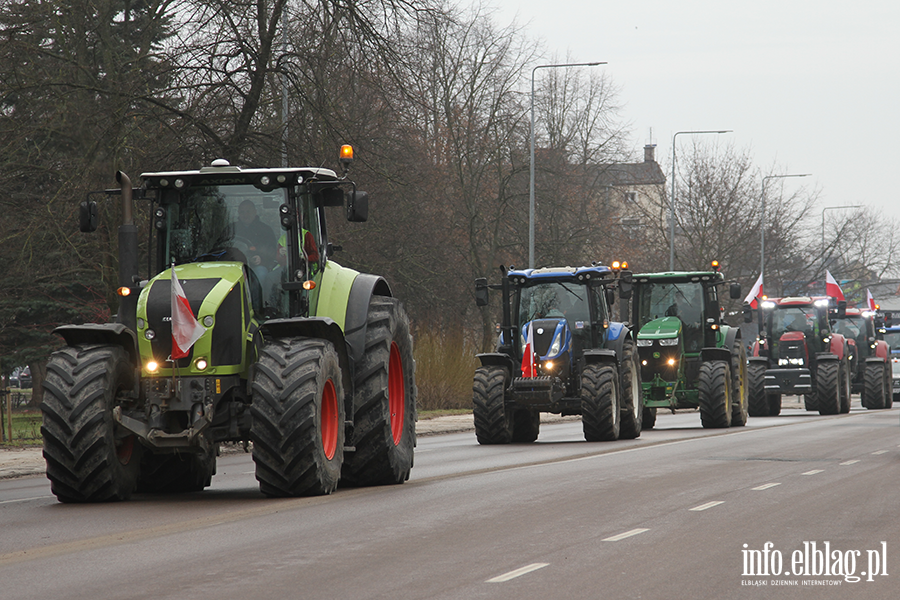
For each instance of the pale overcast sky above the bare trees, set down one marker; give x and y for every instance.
(807, 87)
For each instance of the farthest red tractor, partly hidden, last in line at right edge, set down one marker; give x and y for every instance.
(870, 361)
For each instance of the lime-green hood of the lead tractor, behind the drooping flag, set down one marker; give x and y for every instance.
(220, 300)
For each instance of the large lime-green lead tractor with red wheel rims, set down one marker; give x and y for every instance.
(243, 329)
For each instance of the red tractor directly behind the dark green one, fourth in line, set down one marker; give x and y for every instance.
(799, 353)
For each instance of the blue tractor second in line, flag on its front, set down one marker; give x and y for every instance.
(559, 352)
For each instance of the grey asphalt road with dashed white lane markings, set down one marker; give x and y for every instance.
(666, 516)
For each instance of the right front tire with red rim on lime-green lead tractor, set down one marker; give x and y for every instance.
(298, 418)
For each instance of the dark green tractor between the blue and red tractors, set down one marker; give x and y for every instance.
(689, 357)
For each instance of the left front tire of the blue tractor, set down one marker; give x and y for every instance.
(493, 420)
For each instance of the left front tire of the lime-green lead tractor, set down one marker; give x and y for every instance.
(89, 457)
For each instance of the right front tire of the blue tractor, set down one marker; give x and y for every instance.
(600, 409)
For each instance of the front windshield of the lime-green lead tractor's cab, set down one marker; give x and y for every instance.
(226, 222)
